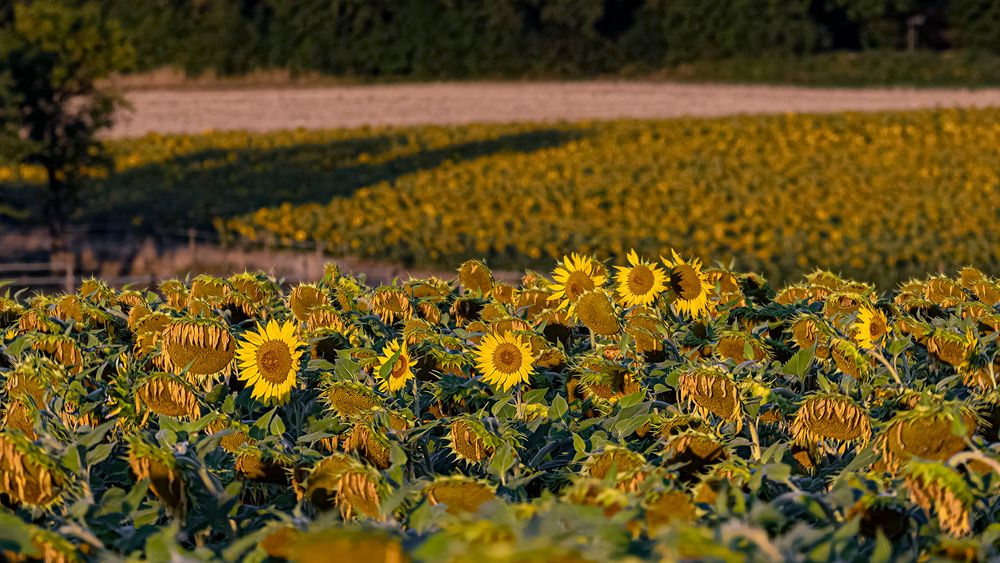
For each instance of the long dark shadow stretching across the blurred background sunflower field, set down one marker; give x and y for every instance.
(194, 189)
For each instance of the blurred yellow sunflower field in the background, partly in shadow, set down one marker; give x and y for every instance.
(876, 196)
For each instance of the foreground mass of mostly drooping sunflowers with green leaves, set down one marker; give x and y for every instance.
(659, 409)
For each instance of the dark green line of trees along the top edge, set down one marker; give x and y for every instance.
(458, 38)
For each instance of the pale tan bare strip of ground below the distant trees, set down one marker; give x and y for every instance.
(262, 109)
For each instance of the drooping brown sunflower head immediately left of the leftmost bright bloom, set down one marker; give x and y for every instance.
(202, 347)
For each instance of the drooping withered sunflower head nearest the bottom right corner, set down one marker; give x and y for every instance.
(937, 487)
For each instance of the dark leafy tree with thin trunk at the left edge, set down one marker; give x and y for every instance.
(52, 106)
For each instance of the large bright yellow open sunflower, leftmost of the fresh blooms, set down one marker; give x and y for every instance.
(269, 359)
